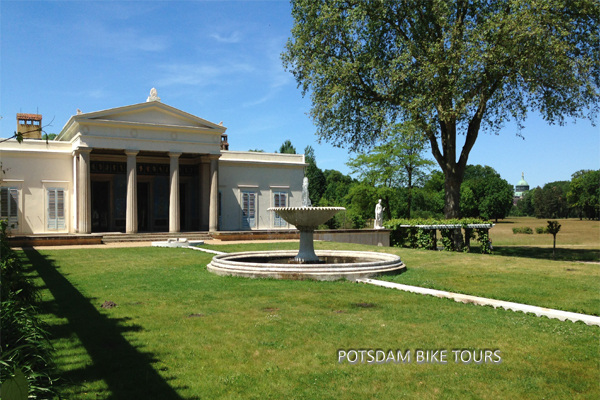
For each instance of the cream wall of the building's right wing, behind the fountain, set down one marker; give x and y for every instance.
(263, 174)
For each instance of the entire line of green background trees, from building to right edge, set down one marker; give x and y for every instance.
(397, 173)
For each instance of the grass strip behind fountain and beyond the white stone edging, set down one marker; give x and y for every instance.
(569, 286)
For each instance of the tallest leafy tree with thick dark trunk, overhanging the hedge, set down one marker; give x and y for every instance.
(453, 67)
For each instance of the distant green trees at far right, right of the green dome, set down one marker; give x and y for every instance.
(578, 198)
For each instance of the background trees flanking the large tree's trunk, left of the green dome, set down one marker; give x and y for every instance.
(404, 181)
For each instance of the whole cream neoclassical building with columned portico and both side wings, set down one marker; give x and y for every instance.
(146, 167)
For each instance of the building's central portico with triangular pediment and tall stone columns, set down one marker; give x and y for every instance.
(148, 167)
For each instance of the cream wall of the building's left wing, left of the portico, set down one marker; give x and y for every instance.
(34, 167)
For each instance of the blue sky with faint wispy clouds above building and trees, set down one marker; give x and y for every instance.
(220, 61)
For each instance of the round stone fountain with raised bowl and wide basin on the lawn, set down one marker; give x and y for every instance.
(306, 264)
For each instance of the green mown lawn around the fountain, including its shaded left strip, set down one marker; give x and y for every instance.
(179, 332)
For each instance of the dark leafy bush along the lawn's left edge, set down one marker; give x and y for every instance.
(26, 358)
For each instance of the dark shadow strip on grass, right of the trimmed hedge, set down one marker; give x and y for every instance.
(545, 253)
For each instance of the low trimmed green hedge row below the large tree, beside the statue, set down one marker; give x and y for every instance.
(419, 238)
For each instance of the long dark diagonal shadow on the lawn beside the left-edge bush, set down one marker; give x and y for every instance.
(126, 371)
